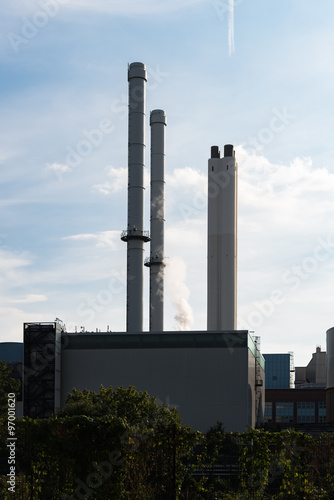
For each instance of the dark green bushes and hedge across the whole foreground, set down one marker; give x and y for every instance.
(120, 444)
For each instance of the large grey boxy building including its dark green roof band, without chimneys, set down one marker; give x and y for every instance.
(207, 376)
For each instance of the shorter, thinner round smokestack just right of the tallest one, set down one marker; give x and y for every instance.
(158, 122)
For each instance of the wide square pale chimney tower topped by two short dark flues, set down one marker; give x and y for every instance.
(222, 240)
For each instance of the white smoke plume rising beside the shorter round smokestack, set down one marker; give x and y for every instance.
(176, 273)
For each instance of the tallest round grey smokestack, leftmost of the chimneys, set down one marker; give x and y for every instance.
(135, 236)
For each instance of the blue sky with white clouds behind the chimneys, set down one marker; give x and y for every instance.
(64, 76)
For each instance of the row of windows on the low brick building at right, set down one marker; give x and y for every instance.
(285, 412)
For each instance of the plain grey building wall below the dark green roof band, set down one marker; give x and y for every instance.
(205, 384)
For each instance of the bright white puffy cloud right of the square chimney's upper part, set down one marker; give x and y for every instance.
(293, 199)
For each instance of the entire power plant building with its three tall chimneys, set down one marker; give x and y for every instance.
(210, 375)
